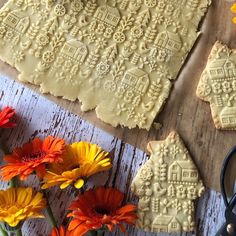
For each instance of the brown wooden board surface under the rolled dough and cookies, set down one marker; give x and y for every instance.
(183, 112)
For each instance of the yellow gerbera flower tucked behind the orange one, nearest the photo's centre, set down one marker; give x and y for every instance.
(80, 161)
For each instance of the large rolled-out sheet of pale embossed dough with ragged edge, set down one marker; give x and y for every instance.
(117, 56)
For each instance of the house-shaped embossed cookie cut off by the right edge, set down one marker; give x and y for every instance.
(218, 86)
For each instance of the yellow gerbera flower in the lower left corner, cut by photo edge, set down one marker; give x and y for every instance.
(19, 204)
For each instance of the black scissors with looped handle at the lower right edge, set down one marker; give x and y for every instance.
(229, 227)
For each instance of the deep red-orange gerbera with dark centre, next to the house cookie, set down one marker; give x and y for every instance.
(101, 207)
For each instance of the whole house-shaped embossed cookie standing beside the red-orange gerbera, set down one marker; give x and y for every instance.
(167, 185)
